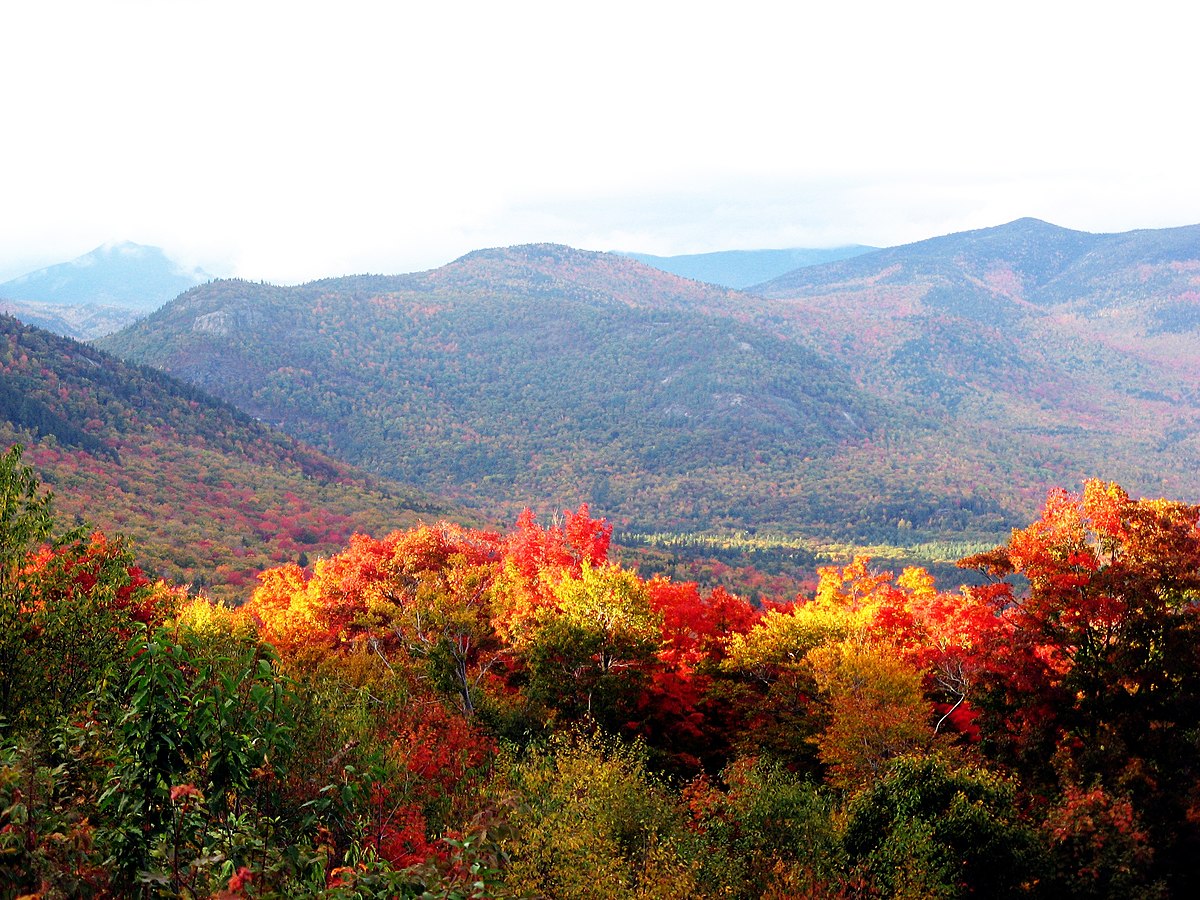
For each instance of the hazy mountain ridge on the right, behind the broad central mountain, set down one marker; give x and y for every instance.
(1085, 346)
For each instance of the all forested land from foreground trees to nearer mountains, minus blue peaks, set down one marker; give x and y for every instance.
(811, 621)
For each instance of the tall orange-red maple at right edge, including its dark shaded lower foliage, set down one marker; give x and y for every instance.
(1099, 679)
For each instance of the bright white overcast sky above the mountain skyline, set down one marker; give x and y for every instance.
(292, 141)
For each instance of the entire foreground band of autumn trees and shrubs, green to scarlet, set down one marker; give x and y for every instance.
(453, 712)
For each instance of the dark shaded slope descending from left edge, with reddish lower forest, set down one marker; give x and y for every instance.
(208, 495)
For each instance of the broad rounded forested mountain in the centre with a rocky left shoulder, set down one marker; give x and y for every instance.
(548, 376)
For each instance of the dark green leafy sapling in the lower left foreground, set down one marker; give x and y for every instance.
(201, 743)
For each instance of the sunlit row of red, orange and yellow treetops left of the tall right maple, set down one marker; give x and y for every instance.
(539, 628)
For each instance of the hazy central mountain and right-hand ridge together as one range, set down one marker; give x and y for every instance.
(902, 395)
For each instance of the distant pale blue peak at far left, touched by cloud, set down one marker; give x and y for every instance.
(125, 275)
